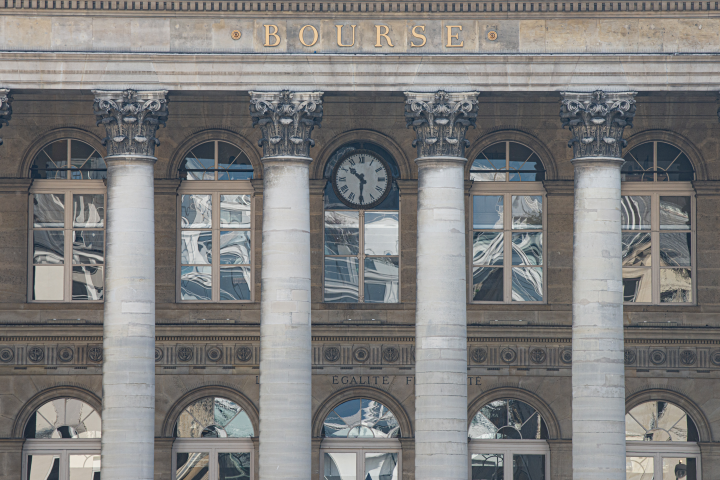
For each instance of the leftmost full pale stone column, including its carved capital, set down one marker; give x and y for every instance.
(128, 415)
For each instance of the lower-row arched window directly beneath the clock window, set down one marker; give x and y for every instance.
(361, 442)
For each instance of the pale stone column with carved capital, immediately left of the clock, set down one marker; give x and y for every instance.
(286, 120)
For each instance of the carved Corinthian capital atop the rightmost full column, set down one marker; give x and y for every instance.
(597, 121)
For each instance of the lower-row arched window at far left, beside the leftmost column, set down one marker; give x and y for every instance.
(62, 442)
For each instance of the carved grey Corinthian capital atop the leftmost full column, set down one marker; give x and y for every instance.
(131, 119)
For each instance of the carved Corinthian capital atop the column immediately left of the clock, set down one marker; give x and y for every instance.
(286, 120)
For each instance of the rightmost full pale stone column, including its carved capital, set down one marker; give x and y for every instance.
(597, 121)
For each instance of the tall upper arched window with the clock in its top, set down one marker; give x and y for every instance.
(362, 235)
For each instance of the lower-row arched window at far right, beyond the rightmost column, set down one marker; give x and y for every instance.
(661, 443)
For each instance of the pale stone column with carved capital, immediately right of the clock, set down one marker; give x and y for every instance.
(440, 121)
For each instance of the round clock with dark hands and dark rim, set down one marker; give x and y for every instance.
(361, 179)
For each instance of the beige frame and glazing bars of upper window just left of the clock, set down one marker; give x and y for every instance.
(215, 189)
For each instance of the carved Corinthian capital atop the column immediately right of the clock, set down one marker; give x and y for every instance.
(440, 121)
